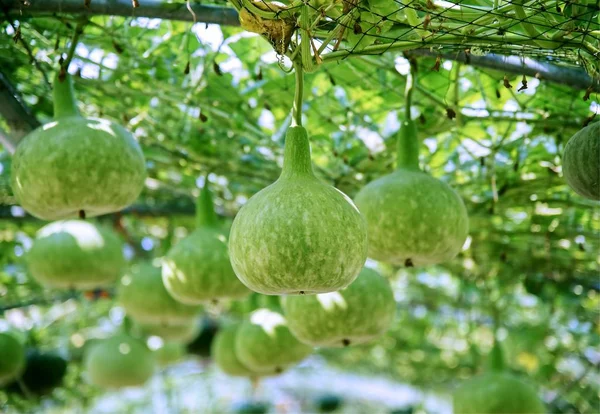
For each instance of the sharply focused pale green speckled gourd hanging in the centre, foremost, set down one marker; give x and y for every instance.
(298, 235)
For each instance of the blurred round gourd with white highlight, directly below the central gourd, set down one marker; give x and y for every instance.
(354, 315)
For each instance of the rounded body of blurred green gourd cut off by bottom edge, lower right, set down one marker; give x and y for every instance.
(497, 393)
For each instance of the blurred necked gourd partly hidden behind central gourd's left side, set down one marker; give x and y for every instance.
(198, 268)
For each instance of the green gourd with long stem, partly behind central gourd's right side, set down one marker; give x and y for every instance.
(413, 219)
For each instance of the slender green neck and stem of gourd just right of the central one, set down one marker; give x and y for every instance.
(408, 142)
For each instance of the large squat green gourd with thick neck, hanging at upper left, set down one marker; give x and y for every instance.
(75, 166)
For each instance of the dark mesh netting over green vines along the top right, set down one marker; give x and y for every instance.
(559, 31)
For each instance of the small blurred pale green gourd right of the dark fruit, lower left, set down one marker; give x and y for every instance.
(119, 361)
